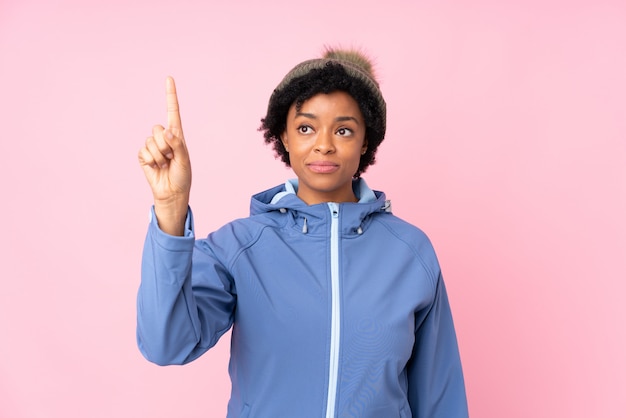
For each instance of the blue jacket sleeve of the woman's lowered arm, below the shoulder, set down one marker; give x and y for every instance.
(435, 378)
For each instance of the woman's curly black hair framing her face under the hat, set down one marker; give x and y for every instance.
(327, 79)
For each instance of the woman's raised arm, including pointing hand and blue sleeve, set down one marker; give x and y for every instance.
(185, 301)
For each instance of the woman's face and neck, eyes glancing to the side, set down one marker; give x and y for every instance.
(325, 139)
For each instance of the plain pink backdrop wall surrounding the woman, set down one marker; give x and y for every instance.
(506, 144)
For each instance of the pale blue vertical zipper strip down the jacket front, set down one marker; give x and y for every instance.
(335, 330)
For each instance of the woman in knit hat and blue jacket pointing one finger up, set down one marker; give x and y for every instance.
(337, 307)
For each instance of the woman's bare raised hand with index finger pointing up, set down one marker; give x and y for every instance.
(165, 162)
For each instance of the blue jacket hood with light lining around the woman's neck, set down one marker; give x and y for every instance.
(314, 219)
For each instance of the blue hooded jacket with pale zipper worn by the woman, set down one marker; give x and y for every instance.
(337, 310)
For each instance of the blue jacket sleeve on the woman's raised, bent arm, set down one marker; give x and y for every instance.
(186, 297)
